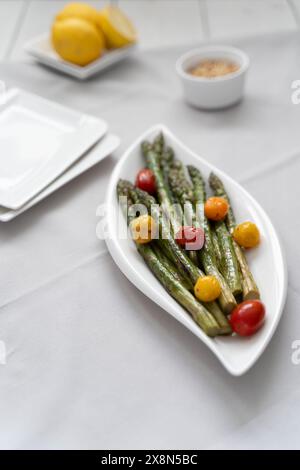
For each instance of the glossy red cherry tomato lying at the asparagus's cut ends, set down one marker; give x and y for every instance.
(247, 317)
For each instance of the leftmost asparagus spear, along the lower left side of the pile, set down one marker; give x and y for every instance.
(201, 316)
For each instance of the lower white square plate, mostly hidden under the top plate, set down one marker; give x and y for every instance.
(99, 151)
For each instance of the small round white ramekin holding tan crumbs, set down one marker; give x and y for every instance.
(218, 92)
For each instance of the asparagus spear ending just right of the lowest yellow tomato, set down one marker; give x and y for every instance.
(207, 254)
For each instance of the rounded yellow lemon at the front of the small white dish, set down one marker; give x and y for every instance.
(77, 41)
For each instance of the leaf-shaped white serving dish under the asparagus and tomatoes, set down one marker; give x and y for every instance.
(266, 262)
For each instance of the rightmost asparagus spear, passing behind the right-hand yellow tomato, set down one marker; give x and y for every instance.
(250, 289)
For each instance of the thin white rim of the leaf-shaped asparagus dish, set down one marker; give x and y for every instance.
(164, 300)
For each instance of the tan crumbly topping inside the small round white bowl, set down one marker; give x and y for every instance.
(212, 68)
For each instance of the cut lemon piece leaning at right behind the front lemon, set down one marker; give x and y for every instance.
(117, 28)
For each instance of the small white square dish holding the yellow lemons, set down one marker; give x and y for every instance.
(41, 49)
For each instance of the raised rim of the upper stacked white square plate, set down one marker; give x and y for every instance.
(89, 130)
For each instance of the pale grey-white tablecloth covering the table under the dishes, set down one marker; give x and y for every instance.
(91, 362)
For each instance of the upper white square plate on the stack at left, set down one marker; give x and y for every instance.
(39, 140)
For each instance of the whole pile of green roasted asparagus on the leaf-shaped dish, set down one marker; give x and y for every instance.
(176, 269)
